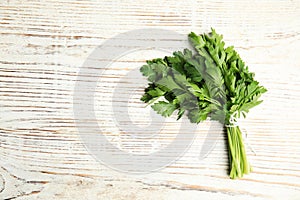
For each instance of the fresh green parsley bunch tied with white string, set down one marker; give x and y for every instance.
(213, 82)
